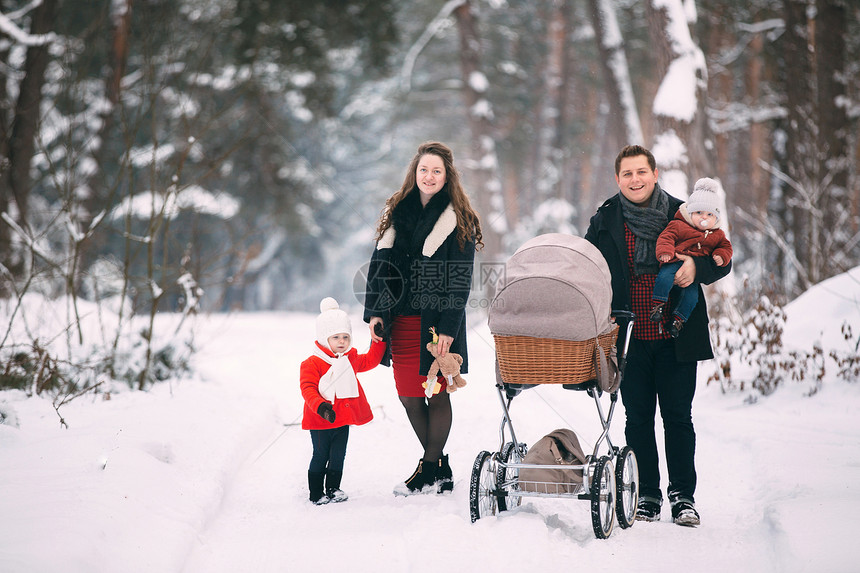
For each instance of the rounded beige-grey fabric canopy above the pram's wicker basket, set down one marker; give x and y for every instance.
(554, 286)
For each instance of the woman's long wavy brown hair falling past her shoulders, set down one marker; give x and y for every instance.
(468, 223)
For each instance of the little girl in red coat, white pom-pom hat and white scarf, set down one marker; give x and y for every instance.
(334, 399)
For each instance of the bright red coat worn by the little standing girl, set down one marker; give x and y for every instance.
(348, 411)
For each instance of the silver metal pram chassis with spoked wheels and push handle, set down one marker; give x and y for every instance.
(611, 488)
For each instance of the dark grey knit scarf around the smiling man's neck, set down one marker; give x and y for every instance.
(646, 224)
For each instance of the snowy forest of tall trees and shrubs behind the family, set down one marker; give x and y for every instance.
(234, 155)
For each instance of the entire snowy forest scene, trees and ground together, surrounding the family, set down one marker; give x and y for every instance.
(182, 182)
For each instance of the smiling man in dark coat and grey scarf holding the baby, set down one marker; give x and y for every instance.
(660, 369)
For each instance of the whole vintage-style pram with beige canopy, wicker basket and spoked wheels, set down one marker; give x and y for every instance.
(552, 324)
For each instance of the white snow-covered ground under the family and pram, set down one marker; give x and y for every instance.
(208, 474)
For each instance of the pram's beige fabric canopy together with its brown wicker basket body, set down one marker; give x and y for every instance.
(551, 318)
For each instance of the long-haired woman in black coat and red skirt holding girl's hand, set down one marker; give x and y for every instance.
(419, 277)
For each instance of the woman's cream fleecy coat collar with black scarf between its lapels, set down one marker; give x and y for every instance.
(412, 224)
